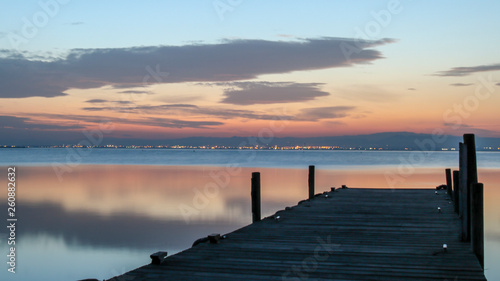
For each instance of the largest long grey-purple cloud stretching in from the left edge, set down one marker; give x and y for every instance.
(131, 67)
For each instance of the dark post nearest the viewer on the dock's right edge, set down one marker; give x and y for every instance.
(477, 221)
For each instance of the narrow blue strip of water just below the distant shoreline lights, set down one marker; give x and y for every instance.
(243, 158)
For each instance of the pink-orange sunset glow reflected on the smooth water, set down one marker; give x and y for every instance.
(213, 193)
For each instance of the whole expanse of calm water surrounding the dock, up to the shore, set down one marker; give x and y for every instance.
(98, 213)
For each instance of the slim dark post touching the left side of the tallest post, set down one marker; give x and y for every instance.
(464, 205)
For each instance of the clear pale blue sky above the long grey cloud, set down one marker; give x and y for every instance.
(107, 24)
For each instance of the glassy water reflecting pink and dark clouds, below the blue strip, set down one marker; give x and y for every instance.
(110, 218)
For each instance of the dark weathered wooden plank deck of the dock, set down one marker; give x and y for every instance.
(349, 234)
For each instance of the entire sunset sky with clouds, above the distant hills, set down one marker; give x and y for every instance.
(88, 70)
